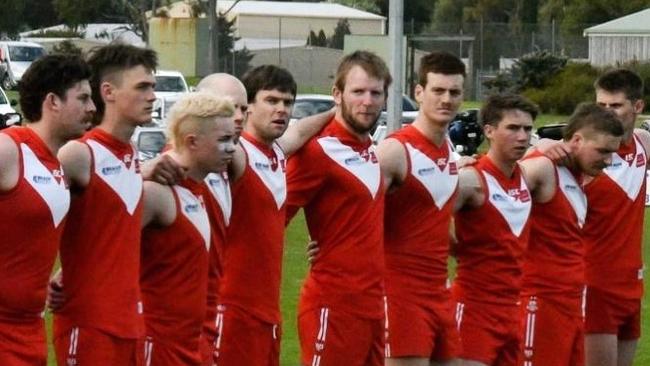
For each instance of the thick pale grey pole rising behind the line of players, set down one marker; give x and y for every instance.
(396, 39)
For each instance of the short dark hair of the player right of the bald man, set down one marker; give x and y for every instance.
(268, 77)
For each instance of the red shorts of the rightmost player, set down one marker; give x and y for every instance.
(608, 314)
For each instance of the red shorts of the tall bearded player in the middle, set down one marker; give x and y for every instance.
(333, 338)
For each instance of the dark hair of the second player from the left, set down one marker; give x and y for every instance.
(116, 57)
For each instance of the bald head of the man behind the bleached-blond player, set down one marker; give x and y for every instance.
(226, 85)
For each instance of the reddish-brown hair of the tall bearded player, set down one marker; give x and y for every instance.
(372, 64)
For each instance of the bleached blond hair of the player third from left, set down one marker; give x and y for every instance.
(193, 112)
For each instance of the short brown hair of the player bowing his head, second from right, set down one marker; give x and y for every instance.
(594, 117)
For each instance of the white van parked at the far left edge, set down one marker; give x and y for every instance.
(15, 58)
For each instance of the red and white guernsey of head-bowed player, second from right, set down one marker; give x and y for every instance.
(554, 262)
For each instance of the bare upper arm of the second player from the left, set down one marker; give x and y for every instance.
(75, 160)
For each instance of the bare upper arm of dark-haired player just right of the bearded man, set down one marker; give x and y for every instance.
(393, 163)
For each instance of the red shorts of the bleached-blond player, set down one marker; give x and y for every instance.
(169, 353)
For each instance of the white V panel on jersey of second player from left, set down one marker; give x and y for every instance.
(123, 180)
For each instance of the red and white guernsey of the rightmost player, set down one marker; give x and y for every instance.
(614, 228)
